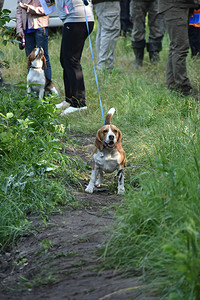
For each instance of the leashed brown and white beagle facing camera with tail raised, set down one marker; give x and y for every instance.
(108, 155)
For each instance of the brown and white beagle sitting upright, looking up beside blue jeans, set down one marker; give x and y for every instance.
(36, 79)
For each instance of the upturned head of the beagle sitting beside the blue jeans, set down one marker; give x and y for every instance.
(36, 58)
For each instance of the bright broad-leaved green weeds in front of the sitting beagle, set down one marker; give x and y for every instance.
(31, 116)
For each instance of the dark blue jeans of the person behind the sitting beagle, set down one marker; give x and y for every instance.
(39, 38)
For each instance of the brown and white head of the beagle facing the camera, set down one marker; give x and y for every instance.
(108, 136)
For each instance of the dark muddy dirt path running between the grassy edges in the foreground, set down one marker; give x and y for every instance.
(61, 260)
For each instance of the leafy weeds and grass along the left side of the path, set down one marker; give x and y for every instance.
(33, 169)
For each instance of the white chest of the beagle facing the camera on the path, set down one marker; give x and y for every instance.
(107, 160)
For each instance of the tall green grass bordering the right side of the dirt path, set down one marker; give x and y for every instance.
(157, 227)
